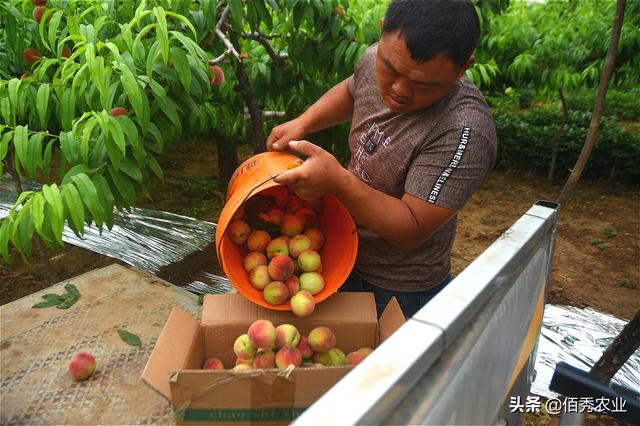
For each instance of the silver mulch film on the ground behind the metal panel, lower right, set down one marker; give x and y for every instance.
(579, 337)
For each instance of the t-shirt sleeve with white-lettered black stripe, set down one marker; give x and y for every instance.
(448, 169)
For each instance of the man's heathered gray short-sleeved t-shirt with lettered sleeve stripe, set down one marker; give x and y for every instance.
(439, 154)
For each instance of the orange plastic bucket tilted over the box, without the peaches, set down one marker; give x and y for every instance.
(341, 237)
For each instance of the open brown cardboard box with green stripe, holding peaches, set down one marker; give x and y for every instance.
(268, 396)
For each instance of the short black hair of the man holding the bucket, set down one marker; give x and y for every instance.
(430, 27)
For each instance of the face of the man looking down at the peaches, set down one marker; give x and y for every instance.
(407, 85)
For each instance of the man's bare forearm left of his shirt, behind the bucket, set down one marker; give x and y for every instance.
(334, 107)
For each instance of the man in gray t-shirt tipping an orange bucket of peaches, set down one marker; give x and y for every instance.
(422, 139)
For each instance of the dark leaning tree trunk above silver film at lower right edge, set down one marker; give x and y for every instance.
(619, 350)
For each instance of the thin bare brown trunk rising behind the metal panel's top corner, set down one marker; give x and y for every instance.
(599, 105)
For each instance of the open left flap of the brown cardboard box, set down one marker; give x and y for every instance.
(173, 351)
